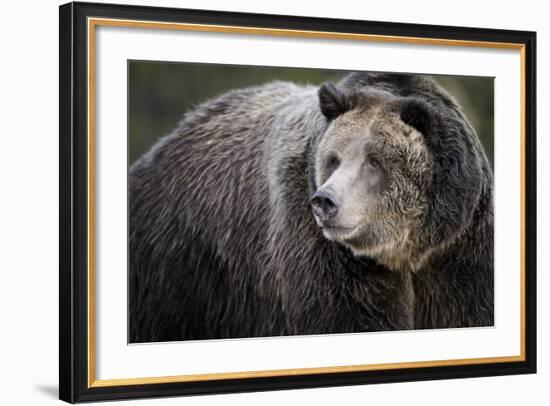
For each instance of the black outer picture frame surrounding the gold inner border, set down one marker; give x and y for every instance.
(74, 383)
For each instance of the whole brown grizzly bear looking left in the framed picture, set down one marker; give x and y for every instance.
(284, 209)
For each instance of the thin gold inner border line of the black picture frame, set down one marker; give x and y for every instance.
(92, 23)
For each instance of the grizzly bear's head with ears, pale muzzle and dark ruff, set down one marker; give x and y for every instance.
(394, 177)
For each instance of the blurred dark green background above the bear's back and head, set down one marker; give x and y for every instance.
(160, 92)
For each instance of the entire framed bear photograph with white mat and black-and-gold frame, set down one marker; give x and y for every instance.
(257, 202)
